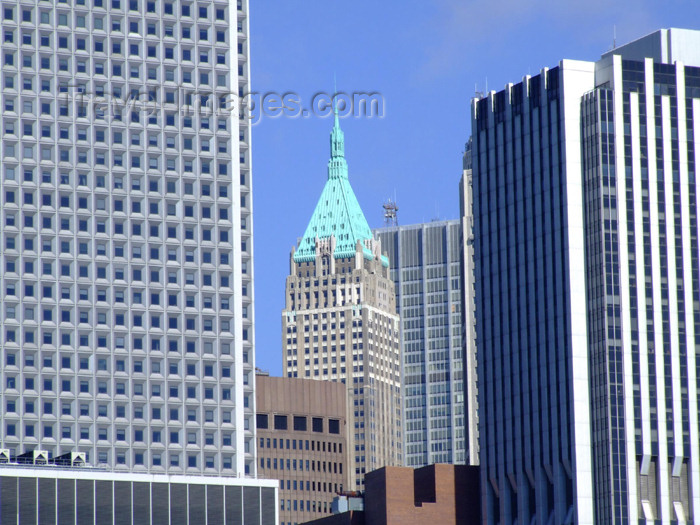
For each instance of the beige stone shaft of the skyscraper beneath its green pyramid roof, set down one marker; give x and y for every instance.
(374, 353)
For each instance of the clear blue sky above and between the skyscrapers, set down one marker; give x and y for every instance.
(425, 58)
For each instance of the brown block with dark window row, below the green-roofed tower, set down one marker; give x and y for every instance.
(302, 432)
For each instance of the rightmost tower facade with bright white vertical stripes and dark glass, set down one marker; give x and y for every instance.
(639, 169)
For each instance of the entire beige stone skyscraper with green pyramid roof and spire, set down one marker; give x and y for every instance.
(340, 322)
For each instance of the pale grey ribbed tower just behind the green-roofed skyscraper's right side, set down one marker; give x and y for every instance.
(425, 265)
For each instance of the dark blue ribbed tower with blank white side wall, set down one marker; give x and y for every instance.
(530, 300)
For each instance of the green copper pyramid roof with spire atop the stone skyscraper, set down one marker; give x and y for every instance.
(337, 211)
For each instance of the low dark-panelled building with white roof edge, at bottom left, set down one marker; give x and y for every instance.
(33, 491)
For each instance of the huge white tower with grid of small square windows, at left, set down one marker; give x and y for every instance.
(125, 251)
